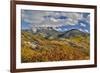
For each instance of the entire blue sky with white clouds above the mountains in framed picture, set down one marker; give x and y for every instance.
(60, 21)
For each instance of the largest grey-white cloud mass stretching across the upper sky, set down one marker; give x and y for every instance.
(37, 18)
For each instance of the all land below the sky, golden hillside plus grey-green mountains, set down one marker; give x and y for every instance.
(50, 45)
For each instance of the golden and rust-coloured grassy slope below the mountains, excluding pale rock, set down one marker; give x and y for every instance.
(76, 48)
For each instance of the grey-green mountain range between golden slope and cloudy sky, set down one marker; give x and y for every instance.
(56, 34)
